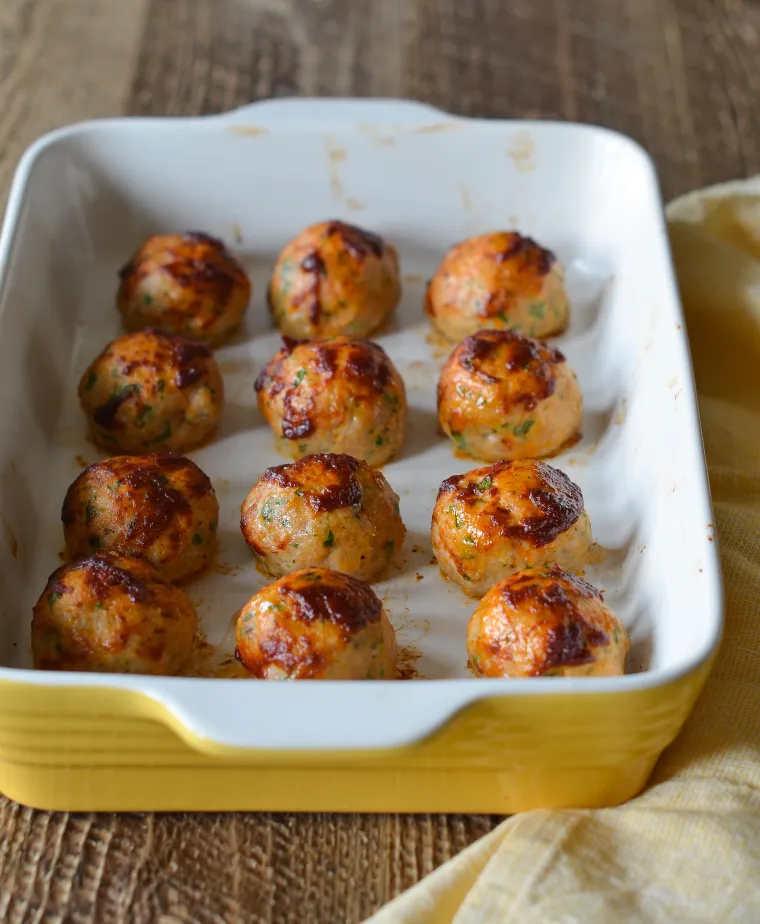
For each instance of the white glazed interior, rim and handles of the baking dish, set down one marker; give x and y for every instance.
(85, 197)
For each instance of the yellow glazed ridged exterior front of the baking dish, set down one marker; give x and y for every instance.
(84, 749)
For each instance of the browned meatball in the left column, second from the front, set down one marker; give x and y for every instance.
(160, 507)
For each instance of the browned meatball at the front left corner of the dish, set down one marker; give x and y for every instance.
(115, 614)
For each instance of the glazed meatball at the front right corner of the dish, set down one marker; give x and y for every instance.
(545, 623)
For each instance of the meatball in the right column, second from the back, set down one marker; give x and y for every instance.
(505, 396)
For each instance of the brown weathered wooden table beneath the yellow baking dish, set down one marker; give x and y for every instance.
(681, 76)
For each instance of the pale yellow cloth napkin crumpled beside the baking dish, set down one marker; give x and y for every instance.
(688, 848)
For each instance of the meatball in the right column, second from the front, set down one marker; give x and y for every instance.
(502, 518)
